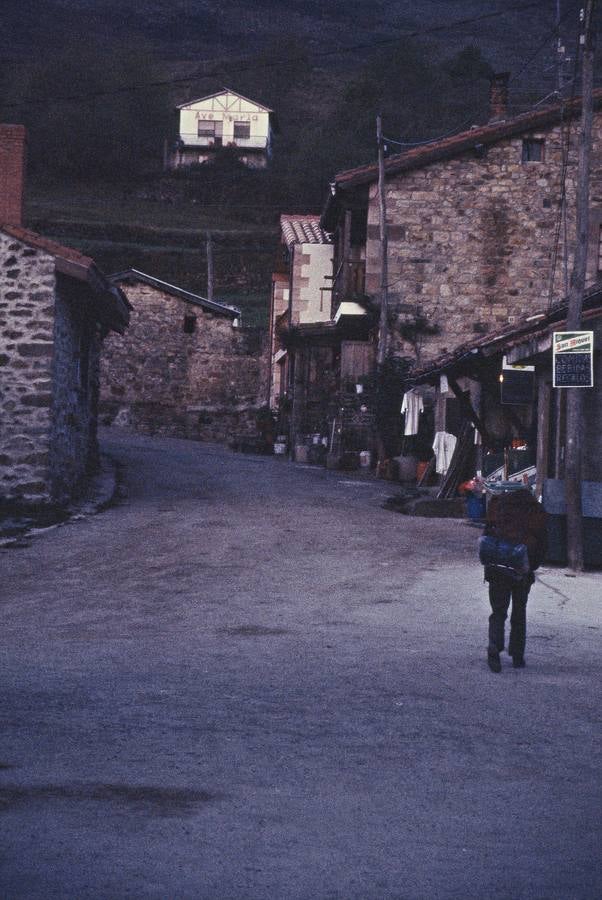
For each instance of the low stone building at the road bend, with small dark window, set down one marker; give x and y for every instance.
(185, 368)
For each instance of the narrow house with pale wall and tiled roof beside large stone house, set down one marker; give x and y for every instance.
(319, 350)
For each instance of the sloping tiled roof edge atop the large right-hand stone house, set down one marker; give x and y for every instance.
(448, 147)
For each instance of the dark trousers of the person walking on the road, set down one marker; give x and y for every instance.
(501, 590)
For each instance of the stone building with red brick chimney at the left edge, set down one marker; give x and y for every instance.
(55, 309)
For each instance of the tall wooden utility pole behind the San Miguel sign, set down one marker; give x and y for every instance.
(574, 397)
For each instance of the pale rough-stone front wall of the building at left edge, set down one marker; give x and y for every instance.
(27, 284)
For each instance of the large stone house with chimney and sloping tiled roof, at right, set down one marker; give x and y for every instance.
(475, 224)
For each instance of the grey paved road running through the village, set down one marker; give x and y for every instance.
(248, 680)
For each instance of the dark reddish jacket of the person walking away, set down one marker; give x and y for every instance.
(517, 517)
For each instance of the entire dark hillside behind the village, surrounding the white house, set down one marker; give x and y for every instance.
(95, 81)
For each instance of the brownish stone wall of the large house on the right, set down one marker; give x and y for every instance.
(472, 241)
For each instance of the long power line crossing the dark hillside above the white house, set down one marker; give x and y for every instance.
(268, 64)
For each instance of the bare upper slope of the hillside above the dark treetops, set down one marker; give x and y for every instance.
(242, 28)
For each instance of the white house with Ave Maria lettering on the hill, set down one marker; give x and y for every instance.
(225, 119)
